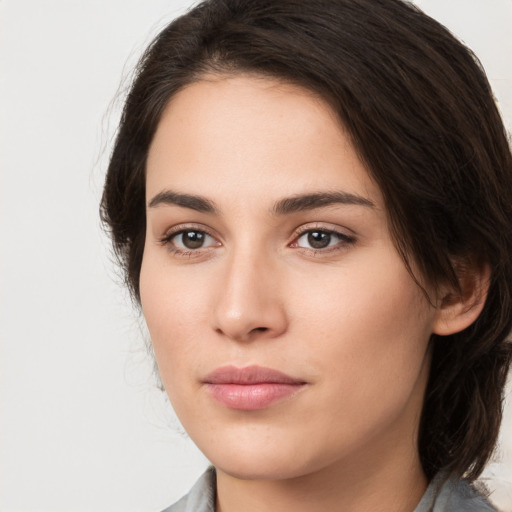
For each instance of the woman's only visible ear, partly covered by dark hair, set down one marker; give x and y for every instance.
(456, 311)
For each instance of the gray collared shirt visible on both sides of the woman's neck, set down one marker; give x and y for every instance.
(442, 495)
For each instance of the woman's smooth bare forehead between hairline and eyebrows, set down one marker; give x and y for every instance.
(256, 136)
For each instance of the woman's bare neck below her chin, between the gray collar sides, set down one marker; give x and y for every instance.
(392, 486)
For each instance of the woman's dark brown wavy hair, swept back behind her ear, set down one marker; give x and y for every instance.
(422, 117)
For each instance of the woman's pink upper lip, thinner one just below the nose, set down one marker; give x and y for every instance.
(249, 375)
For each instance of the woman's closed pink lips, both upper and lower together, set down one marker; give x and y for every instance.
(250, 388)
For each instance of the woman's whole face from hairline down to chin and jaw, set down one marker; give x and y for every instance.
(287, 331)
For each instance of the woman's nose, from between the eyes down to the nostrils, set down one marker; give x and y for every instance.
(249, 304)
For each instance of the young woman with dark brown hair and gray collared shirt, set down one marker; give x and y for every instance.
(312, 205)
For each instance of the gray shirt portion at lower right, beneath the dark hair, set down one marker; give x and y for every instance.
(453, 495)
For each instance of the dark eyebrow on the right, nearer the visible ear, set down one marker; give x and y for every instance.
(318, 200)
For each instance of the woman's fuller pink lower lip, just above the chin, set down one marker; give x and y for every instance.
(252, 397)
